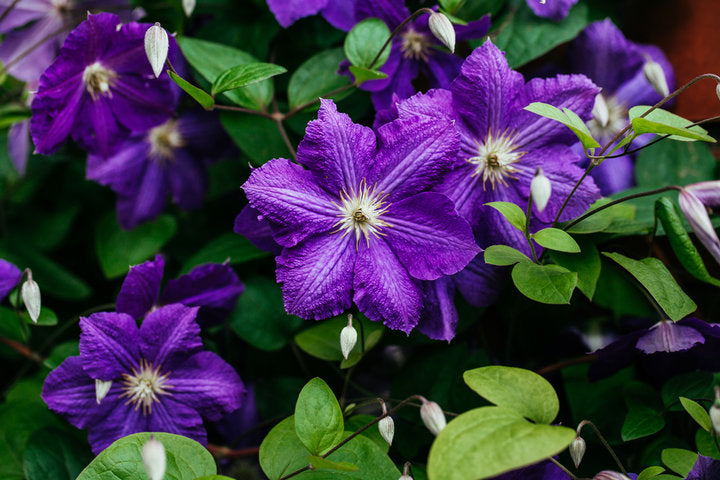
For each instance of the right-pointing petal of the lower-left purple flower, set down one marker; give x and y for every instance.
(207, 384)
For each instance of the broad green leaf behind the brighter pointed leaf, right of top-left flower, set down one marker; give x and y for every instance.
(212, 59)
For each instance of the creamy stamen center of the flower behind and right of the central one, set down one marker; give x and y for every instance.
(495, 158)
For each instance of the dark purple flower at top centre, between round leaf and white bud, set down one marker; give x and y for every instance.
(414, 52)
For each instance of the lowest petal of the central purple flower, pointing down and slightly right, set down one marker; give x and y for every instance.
(384, 291)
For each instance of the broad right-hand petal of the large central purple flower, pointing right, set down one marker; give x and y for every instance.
(428, 236)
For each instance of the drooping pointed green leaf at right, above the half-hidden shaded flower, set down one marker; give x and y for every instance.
(657, 280)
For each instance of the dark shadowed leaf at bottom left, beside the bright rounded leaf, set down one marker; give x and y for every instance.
(53, 454)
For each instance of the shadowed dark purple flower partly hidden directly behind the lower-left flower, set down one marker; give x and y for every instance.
(214, 287)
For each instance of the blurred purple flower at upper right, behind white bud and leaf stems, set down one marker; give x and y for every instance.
(615, 64)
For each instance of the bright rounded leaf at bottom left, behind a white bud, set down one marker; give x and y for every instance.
(186, 459)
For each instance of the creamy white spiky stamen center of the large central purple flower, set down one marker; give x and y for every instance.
(361, 213)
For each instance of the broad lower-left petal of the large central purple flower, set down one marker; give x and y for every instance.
(317, 275)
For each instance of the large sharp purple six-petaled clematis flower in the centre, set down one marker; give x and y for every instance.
(359, 224)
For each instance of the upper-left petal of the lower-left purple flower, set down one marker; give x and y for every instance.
(109, 344)
